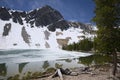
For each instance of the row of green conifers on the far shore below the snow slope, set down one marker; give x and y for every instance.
(83, 45)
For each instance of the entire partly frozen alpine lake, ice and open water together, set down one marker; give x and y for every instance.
(26, 63)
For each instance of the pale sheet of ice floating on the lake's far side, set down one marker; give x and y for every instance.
(33, 55)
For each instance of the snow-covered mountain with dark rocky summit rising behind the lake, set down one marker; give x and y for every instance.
(40, 28)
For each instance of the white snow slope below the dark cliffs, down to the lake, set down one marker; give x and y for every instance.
(37, 39)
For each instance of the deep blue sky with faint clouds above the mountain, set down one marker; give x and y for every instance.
(73, 10)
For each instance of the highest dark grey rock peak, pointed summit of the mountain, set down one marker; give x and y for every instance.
(44, 16)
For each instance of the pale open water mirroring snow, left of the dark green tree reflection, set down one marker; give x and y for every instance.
(35, 68)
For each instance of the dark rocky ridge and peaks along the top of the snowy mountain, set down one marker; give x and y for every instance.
(44, 16)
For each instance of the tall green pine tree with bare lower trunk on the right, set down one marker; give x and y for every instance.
(107, 19)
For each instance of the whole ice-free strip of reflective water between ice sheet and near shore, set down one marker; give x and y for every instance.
(37, 68)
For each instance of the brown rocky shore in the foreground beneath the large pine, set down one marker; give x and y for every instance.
(92, 73)
